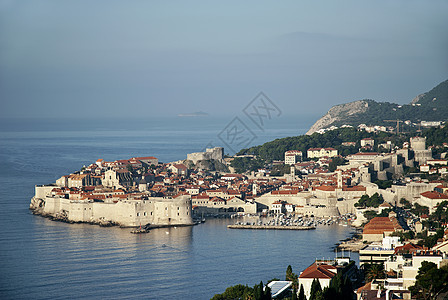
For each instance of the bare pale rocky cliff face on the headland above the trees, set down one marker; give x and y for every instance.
(339, 113)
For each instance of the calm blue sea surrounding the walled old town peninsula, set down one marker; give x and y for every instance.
(43, 259)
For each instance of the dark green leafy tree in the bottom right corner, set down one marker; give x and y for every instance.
(430, 281)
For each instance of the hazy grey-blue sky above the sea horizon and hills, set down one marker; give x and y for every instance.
(144, 58)
